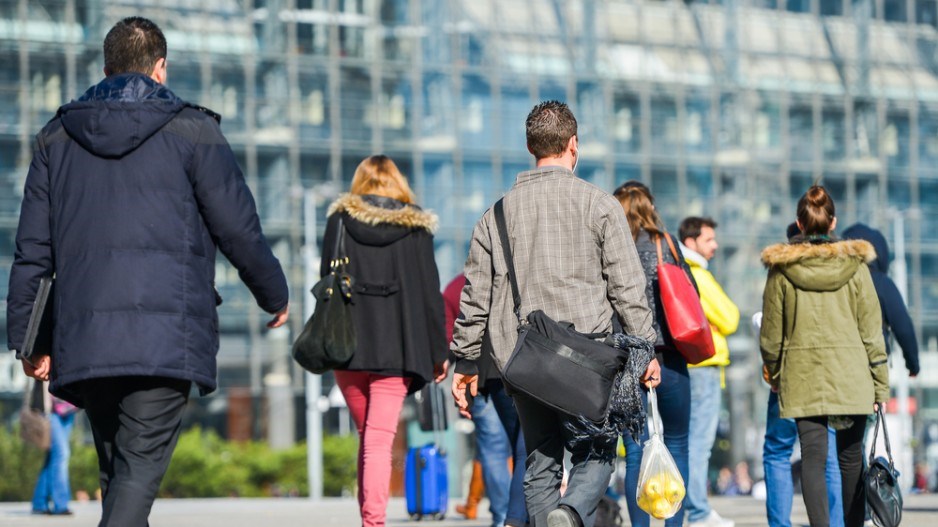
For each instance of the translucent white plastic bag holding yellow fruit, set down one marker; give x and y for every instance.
(660, 485)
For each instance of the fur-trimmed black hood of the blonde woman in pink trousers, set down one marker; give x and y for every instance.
(381, 221)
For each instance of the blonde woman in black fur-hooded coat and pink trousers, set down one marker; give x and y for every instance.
(397, 313)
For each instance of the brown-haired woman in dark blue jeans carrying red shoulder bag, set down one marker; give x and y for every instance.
(674, 390)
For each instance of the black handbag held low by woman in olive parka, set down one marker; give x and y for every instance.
(881, 482)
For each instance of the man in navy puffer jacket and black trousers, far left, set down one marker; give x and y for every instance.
(128, 195)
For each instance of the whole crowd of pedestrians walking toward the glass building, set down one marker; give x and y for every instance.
(131, 191)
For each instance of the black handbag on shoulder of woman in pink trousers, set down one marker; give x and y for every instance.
(328, 338)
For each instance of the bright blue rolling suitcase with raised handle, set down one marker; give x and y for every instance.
(425, 474)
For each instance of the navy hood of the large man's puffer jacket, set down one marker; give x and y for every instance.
(109, 121)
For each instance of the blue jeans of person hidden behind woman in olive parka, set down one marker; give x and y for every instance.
(780, 435)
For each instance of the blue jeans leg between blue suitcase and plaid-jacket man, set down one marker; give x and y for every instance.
(492, 451)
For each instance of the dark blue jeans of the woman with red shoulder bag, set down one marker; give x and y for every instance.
(674, 406)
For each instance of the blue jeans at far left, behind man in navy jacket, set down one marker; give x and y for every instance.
(53, 479)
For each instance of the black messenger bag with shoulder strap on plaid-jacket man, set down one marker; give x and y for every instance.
(553, 363)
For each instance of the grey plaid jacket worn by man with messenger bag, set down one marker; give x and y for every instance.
(574, 257)
